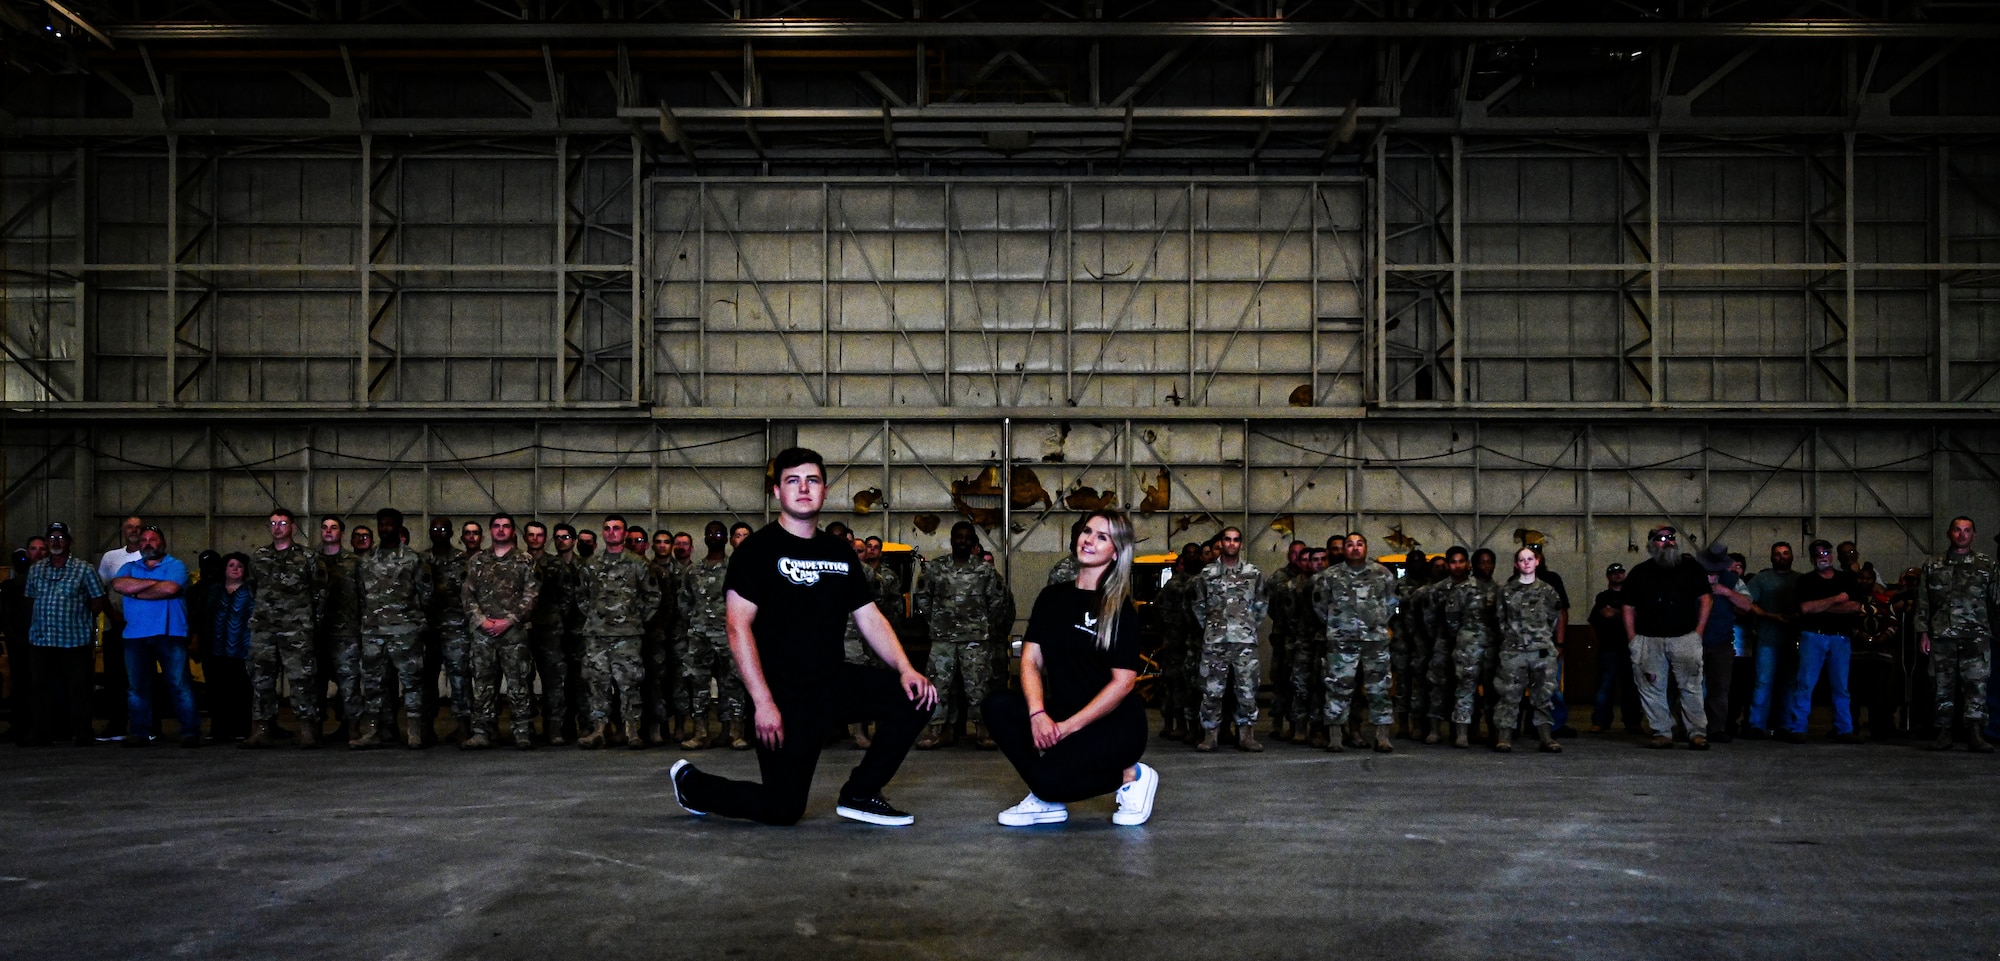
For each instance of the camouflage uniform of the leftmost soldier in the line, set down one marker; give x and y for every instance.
(289, 588)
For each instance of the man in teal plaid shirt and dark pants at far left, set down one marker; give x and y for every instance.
(67, 600)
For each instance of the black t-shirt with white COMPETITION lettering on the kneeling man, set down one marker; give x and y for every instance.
(805, 594)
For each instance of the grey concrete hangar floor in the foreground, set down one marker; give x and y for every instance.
(1607, 852)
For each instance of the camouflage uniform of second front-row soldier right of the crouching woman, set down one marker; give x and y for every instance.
(1357, 606)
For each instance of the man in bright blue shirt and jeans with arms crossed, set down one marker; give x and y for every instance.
(157, 632)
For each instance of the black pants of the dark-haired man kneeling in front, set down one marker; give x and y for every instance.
(853, 694)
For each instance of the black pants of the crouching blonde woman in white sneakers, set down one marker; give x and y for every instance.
(1081, 766)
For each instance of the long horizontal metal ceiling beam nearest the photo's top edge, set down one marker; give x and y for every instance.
(913, 31)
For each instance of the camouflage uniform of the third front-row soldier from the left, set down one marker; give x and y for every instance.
(501, 586)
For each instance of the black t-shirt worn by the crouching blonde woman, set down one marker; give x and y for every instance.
(1065, 626)
